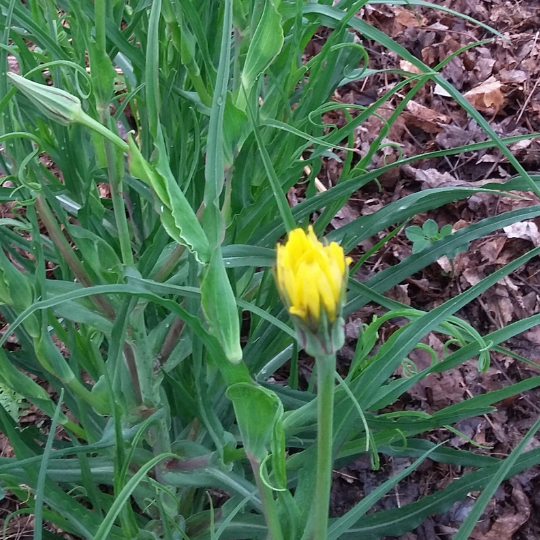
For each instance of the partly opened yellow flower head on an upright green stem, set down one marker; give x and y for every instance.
(311, 277)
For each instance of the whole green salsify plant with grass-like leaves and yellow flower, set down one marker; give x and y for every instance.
(147, 150)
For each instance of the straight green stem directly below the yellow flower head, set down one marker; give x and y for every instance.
(326, 366)
